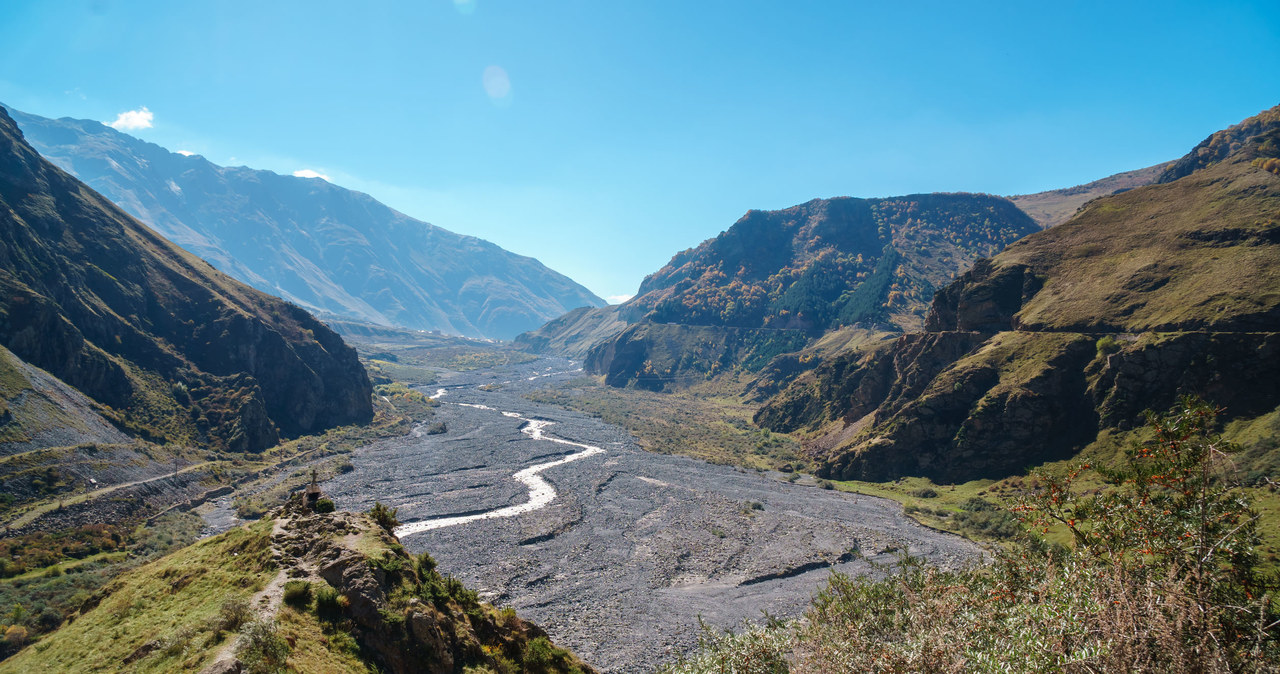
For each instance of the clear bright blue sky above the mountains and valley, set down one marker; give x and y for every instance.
(602, 137)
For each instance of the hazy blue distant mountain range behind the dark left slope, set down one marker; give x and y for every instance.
(330, 250)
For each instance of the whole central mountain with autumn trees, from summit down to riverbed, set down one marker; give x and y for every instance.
(779, 279)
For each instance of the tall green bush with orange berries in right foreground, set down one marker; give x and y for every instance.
(1173, 510)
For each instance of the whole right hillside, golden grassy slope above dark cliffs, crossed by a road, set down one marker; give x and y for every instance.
(1144, 296)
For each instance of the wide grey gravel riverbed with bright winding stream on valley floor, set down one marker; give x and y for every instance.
(633, 548)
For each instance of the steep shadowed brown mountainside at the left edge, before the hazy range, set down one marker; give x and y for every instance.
(171, 349)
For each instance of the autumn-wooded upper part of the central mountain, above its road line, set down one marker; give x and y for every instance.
(831, 263)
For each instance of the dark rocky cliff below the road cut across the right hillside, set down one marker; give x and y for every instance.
(964, 406)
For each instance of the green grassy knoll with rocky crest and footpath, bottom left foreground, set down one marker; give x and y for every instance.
(303, 592)
